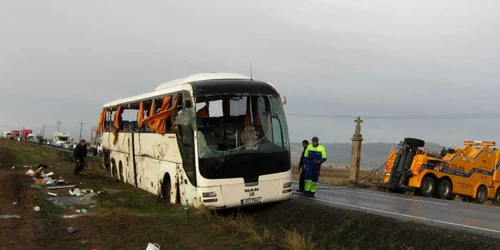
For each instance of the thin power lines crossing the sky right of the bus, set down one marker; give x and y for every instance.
(407, 117)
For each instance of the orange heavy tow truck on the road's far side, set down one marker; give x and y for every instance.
(471, 172)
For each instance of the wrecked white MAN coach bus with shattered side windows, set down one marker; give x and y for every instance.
(217, 139)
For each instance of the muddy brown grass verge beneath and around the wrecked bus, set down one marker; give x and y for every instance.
(128, 218)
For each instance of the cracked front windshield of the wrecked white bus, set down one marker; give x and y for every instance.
(241, 136)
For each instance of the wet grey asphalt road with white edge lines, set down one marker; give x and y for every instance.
(457, 215)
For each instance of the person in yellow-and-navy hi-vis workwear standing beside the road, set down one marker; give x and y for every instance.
(315, 155)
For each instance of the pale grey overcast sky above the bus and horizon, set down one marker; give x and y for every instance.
(61, 60)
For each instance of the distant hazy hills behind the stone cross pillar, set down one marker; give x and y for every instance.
(373, 155)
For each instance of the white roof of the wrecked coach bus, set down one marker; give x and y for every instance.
(166, 88)
